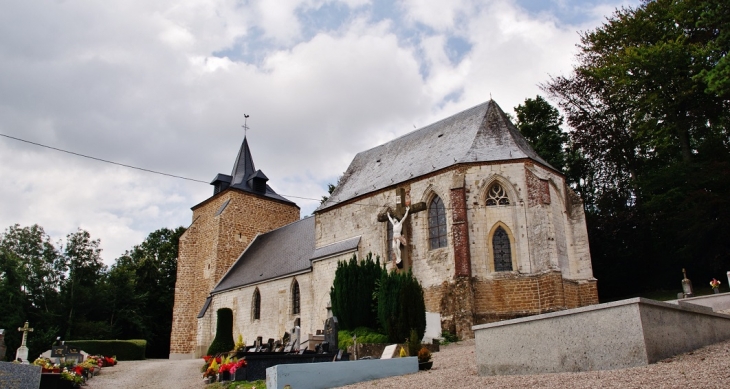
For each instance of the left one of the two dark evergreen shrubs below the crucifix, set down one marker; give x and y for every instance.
(352, 292)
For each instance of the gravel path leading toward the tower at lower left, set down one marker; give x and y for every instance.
(152, 373)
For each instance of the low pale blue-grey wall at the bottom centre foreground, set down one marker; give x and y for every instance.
(330, 375)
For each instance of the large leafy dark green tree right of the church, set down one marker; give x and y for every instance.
(649, 109)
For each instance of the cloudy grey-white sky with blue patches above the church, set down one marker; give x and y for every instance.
(163, 85)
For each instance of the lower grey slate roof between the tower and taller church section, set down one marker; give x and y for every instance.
(281, 252)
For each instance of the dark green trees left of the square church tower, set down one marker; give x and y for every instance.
(66, 290)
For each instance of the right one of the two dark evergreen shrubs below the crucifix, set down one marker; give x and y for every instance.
(401, 306)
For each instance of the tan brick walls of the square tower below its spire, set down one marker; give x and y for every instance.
(211, 245)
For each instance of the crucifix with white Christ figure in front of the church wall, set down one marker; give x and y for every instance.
(399, 227)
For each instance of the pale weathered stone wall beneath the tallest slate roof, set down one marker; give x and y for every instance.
(549, 245)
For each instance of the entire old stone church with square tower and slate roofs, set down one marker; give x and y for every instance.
(490, 230)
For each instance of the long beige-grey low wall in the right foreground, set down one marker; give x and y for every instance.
(615, 335)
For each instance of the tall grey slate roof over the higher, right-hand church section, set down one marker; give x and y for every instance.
(479, 134)
